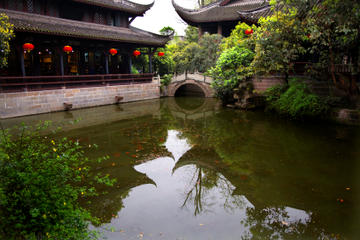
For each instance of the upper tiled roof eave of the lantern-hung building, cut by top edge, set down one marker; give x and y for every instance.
(121, 5)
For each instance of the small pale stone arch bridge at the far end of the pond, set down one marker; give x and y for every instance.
(194, 84)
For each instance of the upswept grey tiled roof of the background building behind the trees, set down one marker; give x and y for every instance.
(224, 10)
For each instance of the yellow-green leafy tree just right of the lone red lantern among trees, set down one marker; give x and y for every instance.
(279, 41)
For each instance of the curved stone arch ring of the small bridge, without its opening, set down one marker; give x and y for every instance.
(204, 87)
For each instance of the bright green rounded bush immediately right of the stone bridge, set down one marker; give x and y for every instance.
(232, 67)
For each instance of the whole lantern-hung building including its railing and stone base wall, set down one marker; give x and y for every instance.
(70, 54)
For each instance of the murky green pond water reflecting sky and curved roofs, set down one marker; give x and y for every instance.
(188, 169)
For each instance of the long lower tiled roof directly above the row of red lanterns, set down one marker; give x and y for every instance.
(27, 22)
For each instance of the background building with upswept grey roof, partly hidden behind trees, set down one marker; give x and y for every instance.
(222, 16)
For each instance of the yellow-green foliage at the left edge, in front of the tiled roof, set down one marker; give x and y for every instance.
(6, 34)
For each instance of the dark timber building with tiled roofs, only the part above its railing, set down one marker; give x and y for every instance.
(90, 27)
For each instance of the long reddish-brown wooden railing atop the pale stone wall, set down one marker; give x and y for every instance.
(36, 83)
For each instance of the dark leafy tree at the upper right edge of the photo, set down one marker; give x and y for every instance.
(335, 35)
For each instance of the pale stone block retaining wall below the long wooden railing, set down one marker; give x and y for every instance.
(35, 102)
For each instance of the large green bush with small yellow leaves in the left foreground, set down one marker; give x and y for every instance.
(41, 180)
